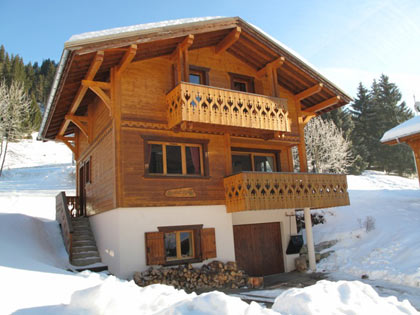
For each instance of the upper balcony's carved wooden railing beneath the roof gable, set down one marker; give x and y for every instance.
(204, 104)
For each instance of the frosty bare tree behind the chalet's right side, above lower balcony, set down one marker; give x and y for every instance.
(326, 148)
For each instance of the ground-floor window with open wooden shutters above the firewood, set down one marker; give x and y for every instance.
(180, 244)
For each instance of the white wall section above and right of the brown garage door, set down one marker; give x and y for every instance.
(287, 227)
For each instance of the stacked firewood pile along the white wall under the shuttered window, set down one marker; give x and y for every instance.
(213, 275)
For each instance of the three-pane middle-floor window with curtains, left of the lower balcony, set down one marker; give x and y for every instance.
(172, 158)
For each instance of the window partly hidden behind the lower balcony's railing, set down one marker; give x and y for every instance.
(252, 161)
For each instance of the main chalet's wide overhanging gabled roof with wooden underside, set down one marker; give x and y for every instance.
(254, 47)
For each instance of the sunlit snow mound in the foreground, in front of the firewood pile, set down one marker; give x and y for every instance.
(115, 296)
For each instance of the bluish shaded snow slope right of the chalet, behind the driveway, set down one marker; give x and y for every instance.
(391, 251)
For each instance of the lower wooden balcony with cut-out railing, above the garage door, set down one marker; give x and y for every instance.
(261, 191)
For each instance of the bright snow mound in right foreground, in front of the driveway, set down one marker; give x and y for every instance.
(342, 297)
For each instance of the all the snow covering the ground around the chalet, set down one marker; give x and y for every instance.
(33, 261)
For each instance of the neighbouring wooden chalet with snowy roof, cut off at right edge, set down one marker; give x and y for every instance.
(407, 132)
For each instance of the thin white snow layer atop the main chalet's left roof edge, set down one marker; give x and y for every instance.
(127, 30)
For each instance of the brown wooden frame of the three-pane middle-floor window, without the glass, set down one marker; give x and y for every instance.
(202, 144)
